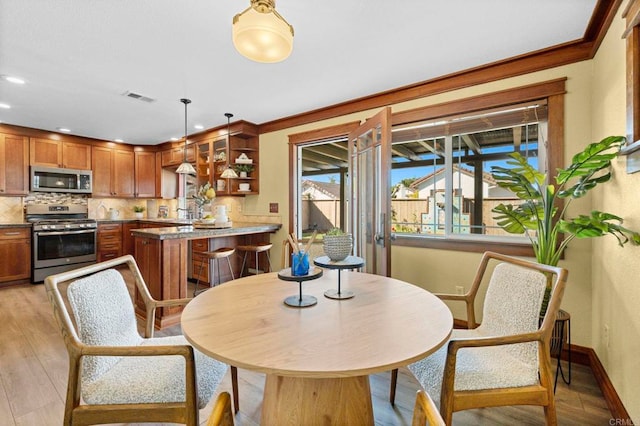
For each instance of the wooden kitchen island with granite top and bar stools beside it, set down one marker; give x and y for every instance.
(162, 256)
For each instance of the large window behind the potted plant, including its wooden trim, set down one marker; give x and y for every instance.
(442, 188)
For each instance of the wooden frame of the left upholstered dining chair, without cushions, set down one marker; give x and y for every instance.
(76, 414)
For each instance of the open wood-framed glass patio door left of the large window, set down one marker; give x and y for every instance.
(369, 200)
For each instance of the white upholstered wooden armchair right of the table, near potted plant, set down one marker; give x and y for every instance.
(506, 359)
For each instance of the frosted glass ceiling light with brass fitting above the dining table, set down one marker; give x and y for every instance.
(261, 34)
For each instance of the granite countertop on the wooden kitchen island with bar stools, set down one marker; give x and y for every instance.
(190, 232)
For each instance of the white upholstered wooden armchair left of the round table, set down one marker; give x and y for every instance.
(121, 376)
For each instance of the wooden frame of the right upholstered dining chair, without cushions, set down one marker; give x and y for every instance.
(537, 394)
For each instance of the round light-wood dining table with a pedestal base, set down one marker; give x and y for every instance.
(317, 359)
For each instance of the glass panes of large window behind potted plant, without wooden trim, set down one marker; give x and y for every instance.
(441, 173)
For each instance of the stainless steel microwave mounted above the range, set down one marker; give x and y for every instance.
(46, 179)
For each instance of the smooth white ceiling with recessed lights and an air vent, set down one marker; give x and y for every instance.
(79, 57)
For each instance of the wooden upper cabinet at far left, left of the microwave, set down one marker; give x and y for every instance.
(14, 165)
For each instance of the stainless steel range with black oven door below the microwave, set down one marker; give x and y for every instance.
(64, 238)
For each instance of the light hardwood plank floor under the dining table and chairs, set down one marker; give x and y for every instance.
(33, 378)
